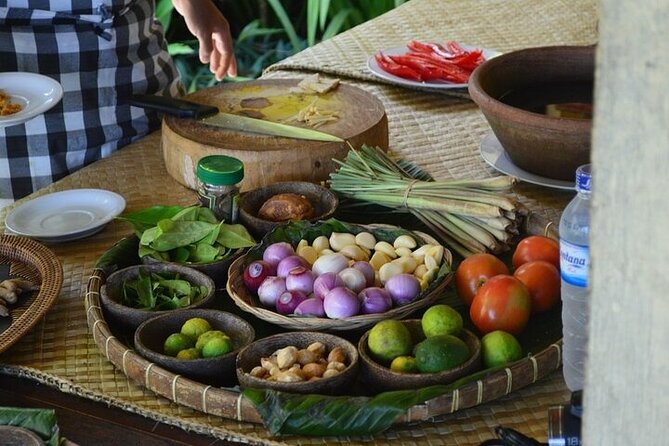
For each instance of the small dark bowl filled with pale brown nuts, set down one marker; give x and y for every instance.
(250, 356)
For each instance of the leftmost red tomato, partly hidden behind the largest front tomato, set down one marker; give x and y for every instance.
(474, 271)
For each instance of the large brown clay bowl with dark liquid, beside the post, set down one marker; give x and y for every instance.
(549, 146)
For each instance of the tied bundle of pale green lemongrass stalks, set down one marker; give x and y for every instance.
(470, 216)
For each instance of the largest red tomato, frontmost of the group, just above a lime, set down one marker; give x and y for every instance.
(502, 303)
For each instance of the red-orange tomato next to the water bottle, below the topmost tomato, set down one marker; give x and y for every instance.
(542, 280)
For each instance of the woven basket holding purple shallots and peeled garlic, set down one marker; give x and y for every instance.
(249, 302)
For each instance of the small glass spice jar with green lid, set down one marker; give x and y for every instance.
(218, 178)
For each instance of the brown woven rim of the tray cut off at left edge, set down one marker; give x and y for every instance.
(27, 251)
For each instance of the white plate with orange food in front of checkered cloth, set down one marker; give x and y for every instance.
(35, 92)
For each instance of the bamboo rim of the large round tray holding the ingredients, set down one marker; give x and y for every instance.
(229, 403)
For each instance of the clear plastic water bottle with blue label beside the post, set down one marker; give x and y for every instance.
(574, 266)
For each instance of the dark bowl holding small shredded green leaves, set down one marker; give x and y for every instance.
(129, 318)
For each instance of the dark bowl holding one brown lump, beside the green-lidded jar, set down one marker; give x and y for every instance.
(323, 200)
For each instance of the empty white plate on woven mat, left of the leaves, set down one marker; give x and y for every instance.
(67, 215)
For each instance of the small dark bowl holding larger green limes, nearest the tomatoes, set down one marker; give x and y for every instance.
(382, 378)
